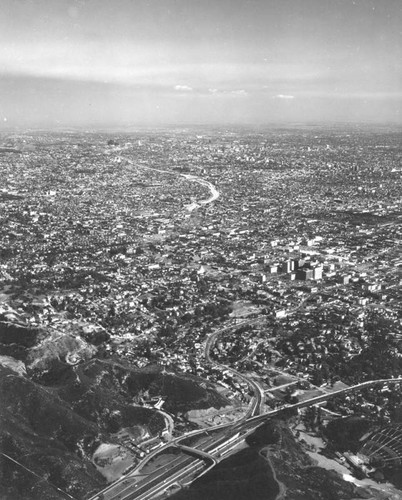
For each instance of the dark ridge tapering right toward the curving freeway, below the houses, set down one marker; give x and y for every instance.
(101, 380)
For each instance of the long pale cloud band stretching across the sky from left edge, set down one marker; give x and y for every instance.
(126, 63)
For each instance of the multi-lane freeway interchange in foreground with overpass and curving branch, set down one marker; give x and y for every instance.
(193, 454)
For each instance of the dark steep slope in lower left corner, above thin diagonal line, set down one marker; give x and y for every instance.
(40, 431)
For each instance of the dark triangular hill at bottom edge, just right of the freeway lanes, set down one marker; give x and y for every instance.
(273, 460)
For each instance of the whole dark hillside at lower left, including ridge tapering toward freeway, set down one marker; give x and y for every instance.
(53, 424)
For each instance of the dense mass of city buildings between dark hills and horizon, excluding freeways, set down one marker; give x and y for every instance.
(303, 232)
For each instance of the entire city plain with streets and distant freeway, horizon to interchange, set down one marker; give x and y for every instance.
(262, 261)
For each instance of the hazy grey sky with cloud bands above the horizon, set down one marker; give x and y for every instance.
(155, 62)
